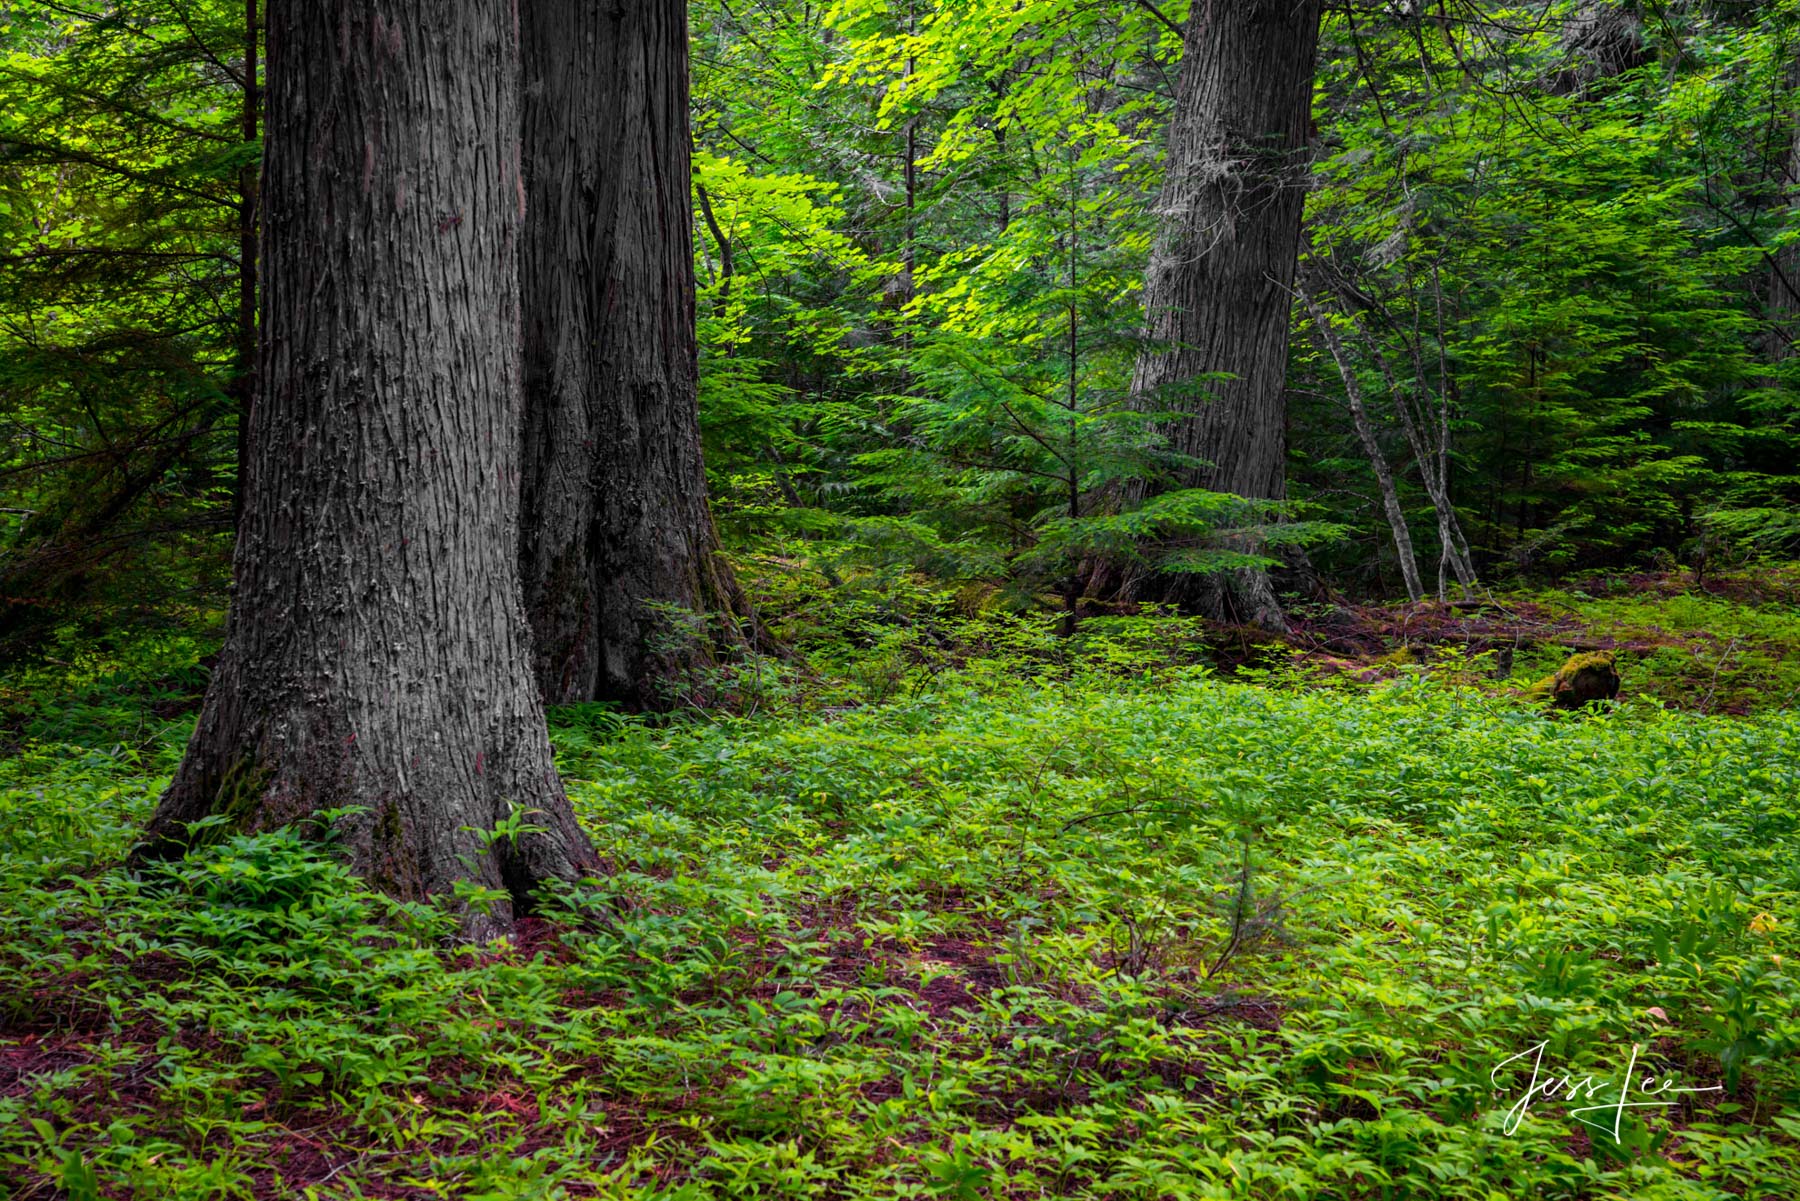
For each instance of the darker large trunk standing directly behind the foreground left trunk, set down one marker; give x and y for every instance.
(616, 527)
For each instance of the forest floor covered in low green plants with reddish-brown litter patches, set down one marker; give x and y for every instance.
(953, 912)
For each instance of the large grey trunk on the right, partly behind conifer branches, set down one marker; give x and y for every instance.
(1219, 287)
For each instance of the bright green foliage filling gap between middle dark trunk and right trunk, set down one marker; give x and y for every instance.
(1009, 327)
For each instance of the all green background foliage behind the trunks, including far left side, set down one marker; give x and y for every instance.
(906, 210)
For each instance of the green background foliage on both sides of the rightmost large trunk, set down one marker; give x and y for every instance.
(1574, 275)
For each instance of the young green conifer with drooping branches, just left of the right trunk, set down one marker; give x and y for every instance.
(1018, 438)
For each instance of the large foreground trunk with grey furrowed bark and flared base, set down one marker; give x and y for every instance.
(377, 653)
